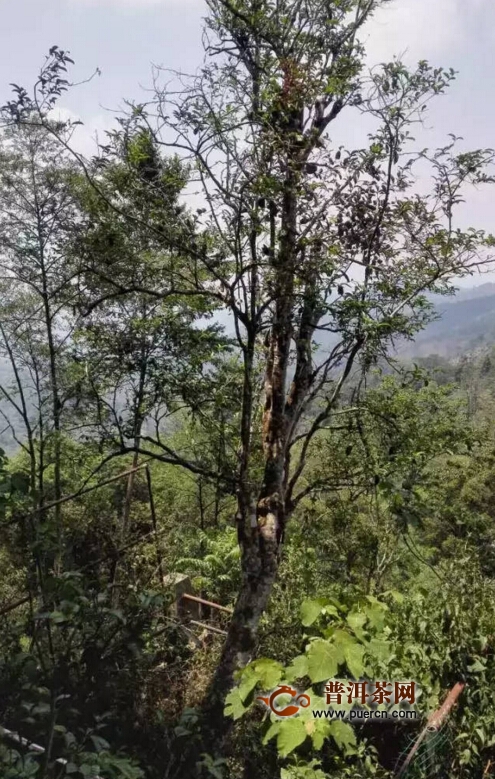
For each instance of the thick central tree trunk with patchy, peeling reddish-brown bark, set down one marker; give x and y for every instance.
(261, 539)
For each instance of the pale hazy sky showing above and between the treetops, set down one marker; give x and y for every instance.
(124, 38)
